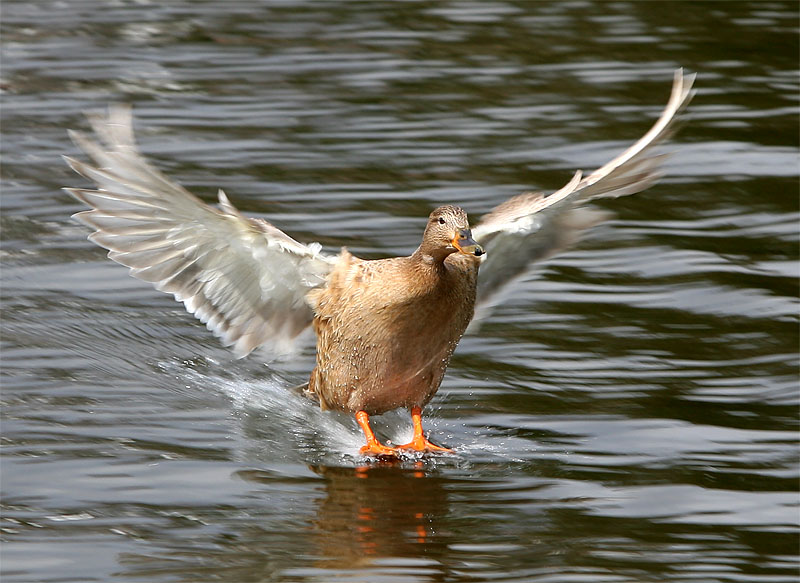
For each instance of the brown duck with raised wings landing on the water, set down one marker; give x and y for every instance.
(385, 328)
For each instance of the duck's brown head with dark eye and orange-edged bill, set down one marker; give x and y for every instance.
(448, 232)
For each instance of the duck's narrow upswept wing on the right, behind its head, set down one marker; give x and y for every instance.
(531, 226)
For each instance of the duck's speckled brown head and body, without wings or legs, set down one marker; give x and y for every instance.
(386, 328)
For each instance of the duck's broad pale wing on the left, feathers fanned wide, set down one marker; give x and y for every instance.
(243, 277)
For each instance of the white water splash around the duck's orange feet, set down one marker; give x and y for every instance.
(275, 423)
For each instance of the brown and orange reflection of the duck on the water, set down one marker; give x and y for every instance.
(380, 510)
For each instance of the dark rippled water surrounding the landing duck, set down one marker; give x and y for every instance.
(628, 414)
